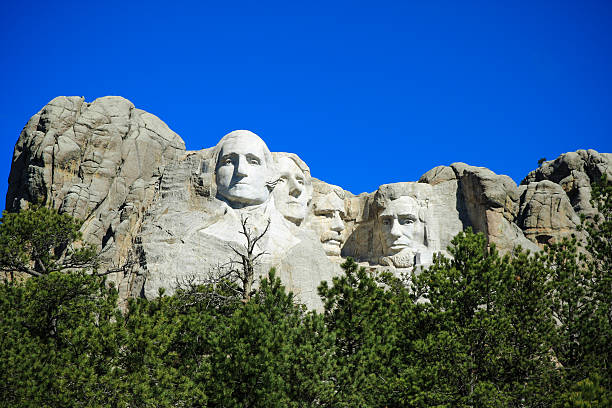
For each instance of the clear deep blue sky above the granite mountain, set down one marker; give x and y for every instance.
(365, 92)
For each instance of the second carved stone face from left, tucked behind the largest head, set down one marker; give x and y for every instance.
(290, 193)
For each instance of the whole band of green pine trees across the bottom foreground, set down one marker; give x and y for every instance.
(473, 330)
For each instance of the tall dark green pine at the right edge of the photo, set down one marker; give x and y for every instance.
(581, 288)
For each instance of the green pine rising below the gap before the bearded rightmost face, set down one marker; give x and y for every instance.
(362, 316)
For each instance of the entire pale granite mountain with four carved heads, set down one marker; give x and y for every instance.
(162, 214)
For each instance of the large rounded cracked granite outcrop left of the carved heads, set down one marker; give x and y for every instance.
(98, 162)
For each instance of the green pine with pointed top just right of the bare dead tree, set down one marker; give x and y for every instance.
(270, 353)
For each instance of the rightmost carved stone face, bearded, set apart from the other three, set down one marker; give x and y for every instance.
(400, 227)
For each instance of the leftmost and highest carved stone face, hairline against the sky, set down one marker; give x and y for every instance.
(242, 169)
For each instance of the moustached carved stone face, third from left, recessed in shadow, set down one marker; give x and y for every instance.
(328, 222)
